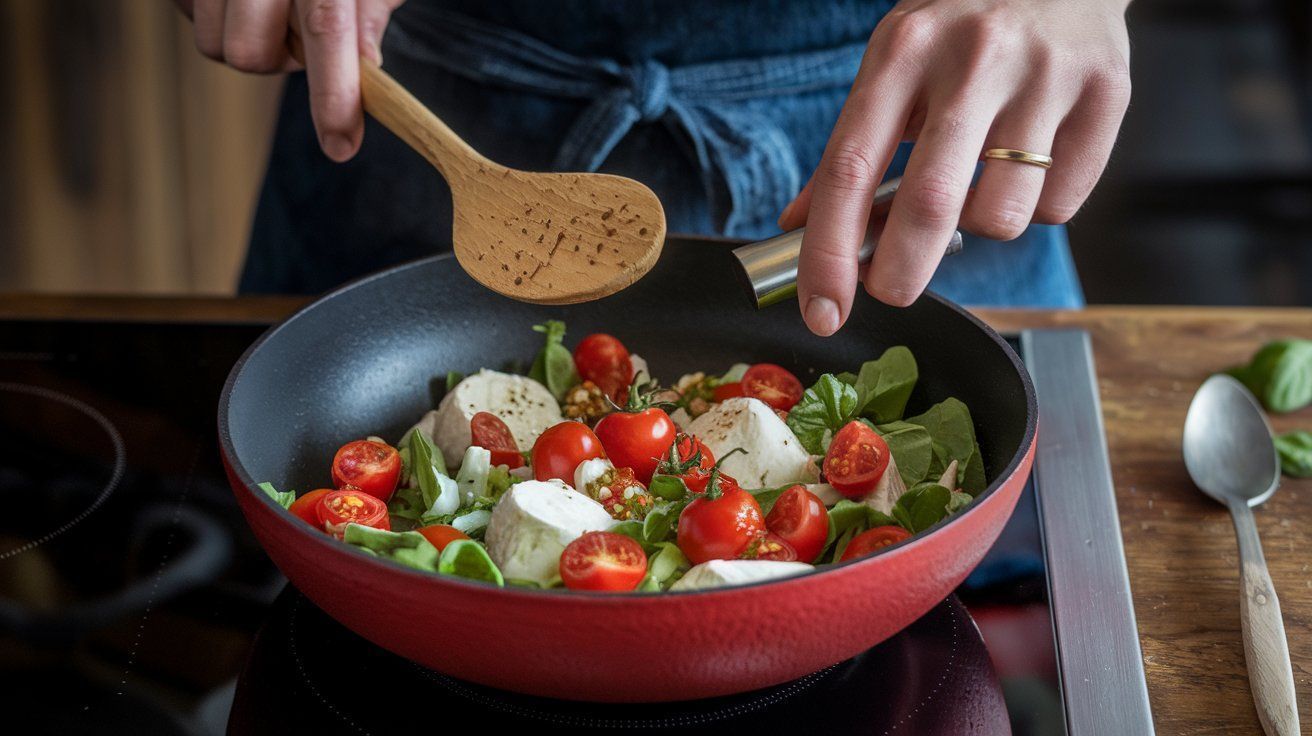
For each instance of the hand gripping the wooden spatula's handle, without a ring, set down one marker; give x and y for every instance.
(251, 36)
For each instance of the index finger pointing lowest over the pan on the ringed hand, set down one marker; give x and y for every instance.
(838, 209)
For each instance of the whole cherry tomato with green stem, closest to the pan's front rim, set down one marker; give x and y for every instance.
(721, 523)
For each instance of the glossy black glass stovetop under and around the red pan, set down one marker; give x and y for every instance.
(134, 600)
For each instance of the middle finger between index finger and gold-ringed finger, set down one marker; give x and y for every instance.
(930, 201)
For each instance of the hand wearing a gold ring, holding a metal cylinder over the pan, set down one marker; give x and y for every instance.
(960, 77)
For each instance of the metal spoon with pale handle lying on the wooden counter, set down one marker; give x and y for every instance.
(1231, 457)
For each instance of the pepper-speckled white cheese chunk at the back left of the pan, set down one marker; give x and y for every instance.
(524, 405)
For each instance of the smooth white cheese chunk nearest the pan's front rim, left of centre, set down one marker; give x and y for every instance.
(535, 523)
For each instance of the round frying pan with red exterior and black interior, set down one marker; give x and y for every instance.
(367, 360)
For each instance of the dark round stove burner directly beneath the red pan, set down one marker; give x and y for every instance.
(309, 672)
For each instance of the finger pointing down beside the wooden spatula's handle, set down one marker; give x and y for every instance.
(333, 68)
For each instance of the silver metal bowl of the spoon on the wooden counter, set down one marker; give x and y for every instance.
(1229, 447)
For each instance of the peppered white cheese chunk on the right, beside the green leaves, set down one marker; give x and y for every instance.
(773, 457)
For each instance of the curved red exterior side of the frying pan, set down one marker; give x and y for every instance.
(633, 649)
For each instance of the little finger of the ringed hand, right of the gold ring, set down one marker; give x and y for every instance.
(1083, 145)
